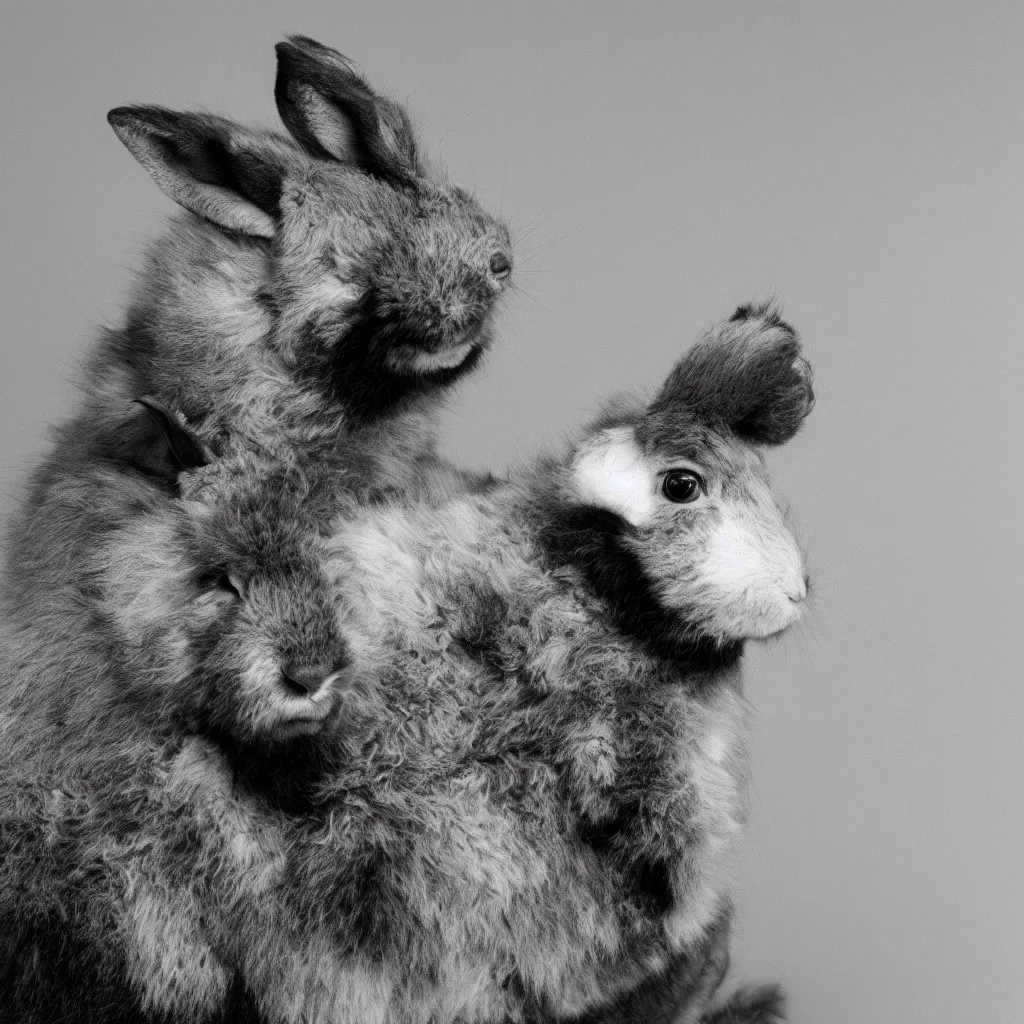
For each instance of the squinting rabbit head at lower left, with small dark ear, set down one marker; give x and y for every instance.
(223, 600)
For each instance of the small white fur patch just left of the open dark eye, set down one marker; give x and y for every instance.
(612, 474)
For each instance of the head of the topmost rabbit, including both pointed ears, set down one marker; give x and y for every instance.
(382, 278)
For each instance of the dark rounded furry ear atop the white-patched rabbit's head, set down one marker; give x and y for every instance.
(747, 376)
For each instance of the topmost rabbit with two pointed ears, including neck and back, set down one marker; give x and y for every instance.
(320, 294)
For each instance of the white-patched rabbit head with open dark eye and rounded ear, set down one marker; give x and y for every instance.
(686, 488)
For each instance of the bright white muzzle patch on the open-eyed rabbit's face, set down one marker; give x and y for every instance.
(754, 576)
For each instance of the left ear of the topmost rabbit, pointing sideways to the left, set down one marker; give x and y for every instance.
(227, 174)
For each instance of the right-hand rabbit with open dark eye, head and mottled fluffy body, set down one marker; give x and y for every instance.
(559, 656)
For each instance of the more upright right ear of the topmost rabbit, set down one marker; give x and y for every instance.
(336, 116)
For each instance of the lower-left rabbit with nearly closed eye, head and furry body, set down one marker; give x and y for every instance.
(204, 629)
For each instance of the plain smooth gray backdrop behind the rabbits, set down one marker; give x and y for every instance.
(661, 163)
